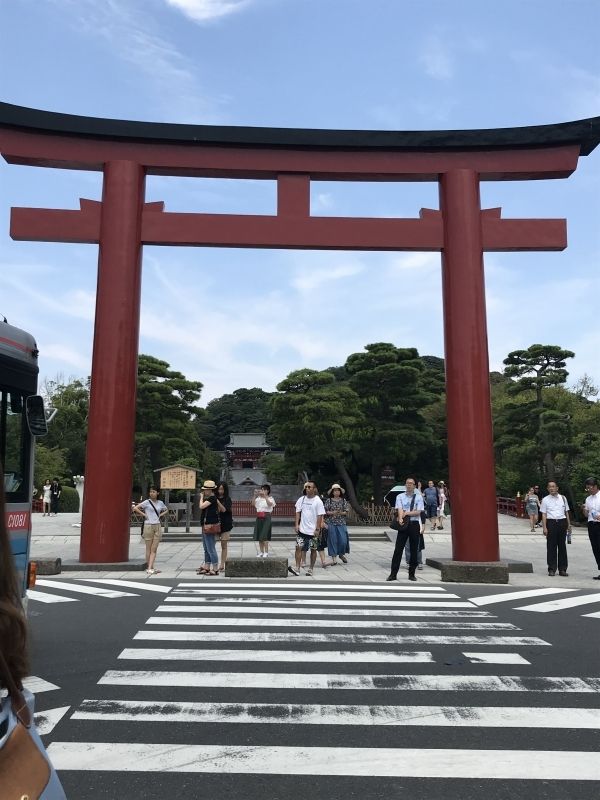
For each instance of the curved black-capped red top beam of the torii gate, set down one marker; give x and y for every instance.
(42, 138)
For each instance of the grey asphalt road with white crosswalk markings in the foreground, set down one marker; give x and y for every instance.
(242, 691)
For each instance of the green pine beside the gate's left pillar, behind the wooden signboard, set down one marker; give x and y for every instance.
(165, 410)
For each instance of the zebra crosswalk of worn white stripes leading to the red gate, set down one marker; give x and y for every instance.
(265, 680)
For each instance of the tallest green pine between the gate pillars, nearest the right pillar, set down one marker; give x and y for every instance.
(388, 380)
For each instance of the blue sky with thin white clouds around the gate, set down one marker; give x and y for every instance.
(232, 318)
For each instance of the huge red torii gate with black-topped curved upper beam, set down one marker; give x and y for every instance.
(122, 222)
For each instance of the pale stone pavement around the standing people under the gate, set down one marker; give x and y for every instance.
(369, 561)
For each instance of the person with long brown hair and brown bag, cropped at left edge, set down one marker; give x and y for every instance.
(25, 770)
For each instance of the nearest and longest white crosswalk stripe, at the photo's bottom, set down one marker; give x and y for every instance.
(370, 762)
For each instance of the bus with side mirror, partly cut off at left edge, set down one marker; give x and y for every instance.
(22, 418)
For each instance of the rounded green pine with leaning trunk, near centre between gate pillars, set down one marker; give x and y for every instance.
(316, 420)
